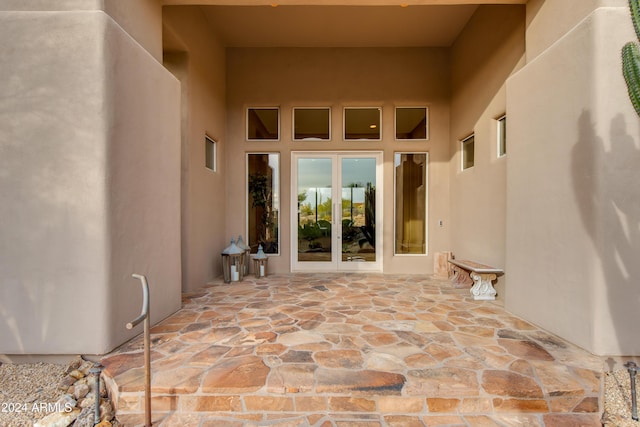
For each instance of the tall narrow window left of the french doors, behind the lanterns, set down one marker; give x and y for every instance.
(263, 201)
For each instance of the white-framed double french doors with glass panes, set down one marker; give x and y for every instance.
(337, 208)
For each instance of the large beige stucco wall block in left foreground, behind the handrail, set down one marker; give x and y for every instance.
(88, 183)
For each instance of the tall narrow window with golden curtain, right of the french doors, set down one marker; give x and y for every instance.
(410, 203)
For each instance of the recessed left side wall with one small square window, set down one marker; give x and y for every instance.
(198, 59)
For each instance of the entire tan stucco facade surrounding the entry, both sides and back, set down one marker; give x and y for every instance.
(107, 107)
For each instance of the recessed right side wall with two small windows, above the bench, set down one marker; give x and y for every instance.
(488, 51)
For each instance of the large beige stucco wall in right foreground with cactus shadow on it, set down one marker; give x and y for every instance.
(573, 212)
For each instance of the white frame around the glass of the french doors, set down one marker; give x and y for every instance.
(336, 263)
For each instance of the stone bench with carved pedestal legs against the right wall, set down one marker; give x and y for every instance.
(481, 276)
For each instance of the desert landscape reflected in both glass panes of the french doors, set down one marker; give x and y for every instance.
(315, 209)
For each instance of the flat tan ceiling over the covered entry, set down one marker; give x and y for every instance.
(347, 23)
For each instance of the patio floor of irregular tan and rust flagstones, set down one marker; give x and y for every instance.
(353, 350)
